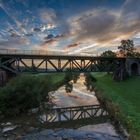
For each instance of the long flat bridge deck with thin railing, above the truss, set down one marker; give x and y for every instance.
(39, 54)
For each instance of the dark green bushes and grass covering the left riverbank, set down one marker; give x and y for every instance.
(29, 90)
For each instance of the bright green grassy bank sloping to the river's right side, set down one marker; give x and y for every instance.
(122, 100)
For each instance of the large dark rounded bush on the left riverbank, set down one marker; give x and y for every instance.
(20, 94)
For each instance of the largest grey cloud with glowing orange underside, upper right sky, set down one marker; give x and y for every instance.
(106, 27)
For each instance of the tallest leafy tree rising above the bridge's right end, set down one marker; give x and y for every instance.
(127, 48)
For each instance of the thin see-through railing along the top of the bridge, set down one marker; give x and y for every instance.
(42, 52)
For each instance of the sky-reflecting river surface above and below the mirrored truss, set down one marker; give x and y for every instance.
(78, 97)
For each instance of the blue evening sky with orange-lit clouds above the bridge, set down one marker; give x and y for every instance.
(72, 26)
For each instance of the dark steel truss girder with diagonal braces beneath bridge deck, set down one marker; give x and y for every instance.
(21, 64)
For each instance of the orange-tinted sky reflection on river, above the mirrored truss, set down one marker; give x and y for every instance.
(79, 96)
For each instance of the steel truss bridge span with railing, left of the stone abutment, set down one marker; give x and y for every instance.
(42, 62)
